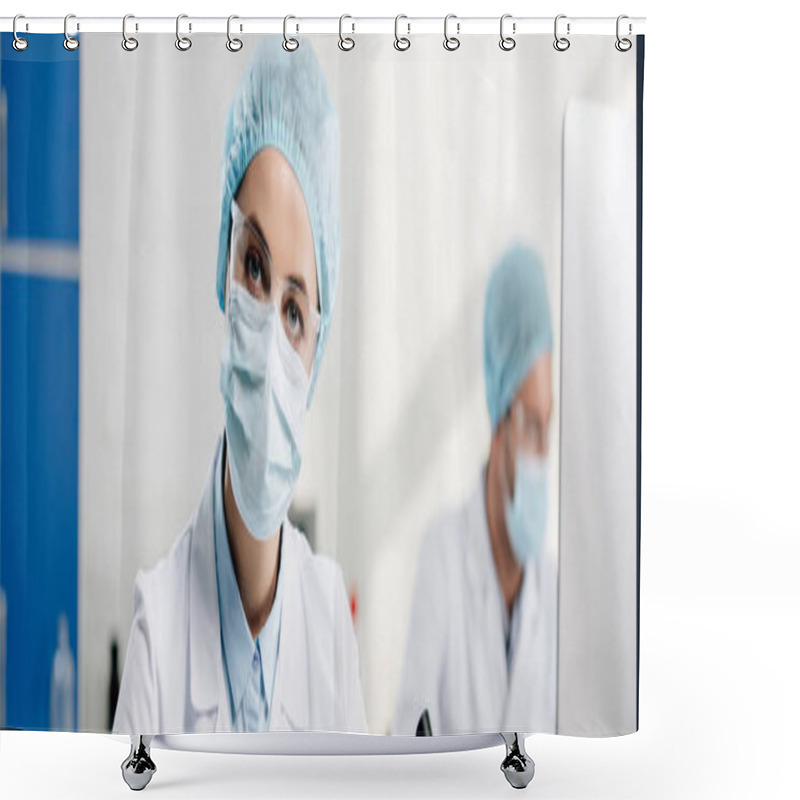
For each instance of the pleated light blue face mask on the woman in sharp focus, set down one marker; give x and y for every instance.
(265, 387)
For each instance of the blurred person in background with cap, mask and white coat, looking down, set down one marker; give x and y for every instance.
(481, 650)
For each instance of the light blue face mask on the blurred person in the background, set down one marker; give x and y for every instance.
(526, 511)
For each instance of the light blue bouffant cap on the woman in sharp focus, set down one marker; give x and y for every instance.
(283, 102)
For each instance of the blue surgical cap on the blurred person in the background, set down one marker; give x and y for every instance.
(516, 326)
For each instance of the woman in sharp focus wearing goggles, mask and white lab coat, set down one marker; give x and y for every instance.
(241, 627)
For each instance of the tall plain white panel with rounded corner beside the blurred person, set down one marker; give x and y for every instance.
(598, 593)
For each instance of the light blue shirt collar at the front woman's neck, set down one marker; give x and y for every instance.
(238, 645)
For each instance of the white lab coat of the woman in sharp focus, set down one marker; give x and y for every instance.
(174, 680)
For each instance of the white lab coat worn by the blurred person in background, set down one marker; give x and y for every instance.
(456, 664)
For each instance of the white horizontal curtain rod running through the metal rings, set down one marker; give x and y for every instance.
(320, 25)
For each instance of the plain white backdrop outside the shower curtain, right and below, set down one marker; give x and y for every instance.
(720, 539)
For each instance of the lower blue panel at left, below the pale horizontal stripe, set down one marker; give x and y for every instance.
(39, 471)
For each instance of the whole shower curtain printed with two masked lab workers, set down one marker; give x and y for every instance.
(319, 385)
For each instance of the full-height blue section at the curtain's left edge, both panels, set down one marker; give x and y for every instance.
(39, 349)
